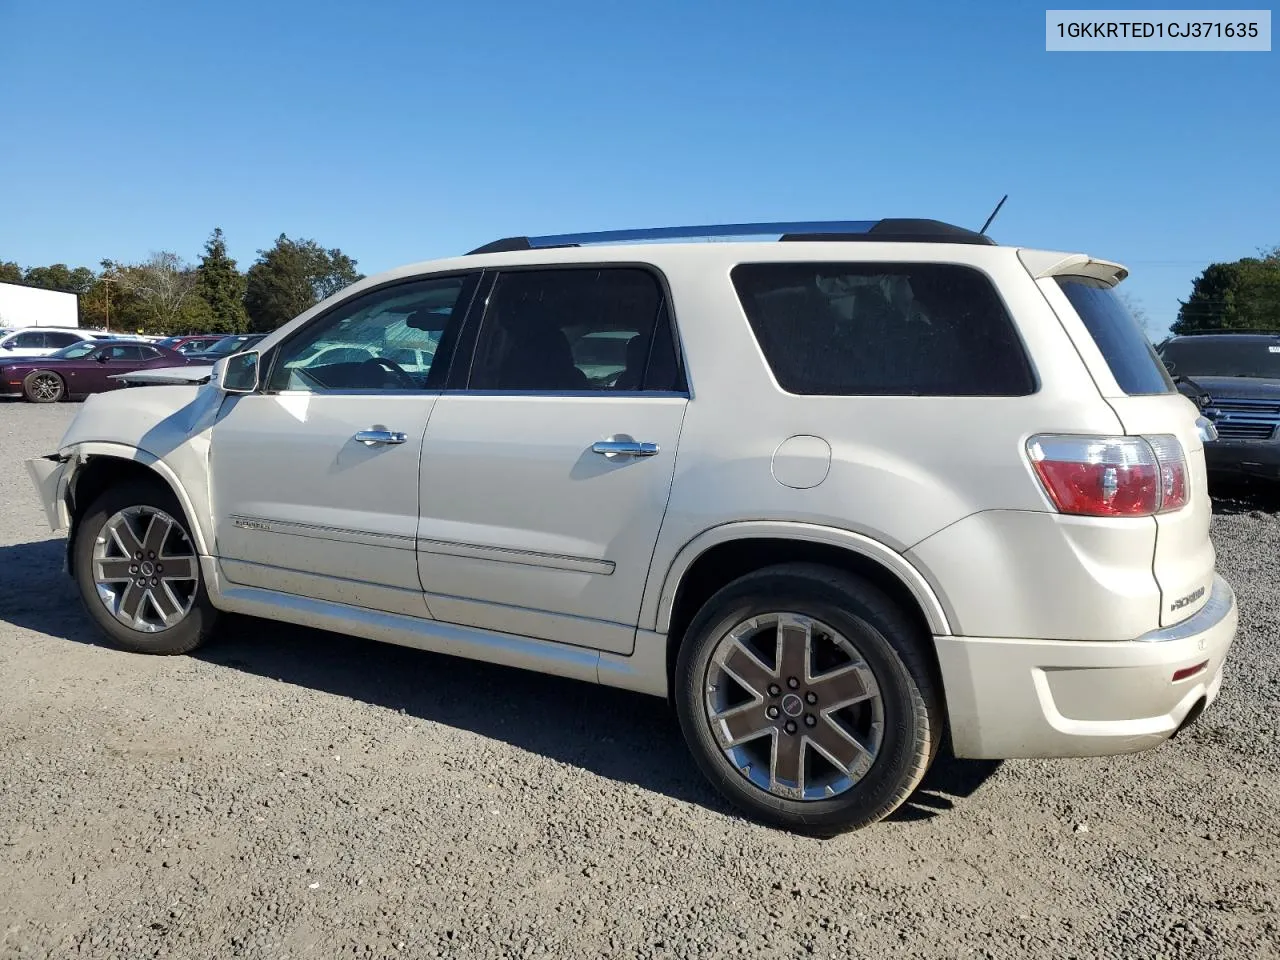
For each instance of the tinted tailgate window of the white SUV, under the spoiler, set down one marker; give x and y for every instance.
(1121, 339)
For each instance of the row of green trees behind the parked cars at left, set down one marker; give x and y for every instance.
(166, 295)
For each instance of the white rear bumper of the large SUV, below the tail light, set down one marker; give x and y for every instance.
(1078, 698)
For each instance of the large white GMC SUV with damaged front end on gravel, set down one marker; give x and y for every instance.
(851, 495)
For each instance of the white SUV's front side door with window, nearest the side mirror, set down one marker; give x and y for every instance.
(316, 478)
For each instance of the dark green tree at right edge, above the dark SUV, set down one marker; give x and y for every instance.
(1244, 295)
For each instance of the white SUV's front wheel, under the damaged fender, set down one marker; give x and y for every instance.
(139, 572)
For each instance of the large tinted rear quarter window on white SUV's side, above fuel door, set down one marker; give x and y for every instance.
(884, 330)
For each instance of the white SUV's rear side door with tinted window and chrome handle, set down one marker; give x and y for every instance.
(547, 477)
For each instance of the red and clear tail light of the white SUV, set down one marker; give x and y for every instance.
(1112, 477)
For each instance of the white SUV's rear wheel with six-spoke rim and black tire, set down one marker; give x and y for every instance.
(807, 701)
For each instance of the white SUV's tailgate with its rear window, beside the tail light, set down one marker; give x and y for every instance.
(1135, 382)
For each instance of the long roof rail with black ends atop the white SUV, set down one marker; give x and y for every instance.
(894, 231)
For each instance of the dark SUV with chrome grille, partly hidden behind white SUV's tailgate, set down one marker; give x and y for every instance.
(1236, 380)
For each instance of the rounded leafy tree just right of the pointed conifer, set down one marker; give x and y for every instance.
(292, 277)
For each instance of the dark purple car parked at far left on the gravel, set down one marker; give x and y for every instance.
(81, 369)
